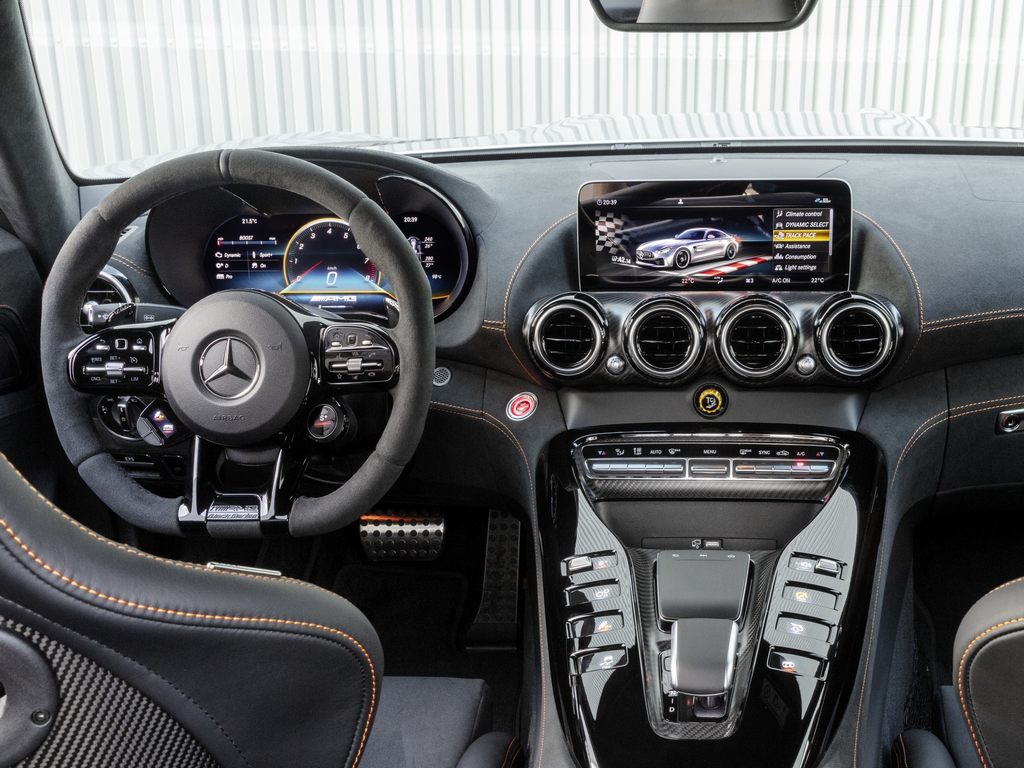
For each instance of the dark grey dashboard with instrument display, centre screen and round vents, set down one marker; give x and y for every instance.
(514, 237)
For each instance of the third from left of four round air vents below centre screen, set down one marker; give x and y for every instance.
(757, 339)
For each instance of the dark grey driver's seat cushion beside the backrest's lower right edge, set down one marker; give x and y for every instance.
(437, 723)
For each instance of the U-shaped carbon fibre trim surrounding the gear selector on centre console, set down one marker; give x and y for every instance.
(656, 642)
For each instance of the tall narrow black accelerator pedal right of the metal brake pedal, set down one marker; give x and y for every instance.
(497, 620)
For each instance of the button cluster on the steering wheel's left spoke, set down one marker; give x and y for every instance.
(115, 360)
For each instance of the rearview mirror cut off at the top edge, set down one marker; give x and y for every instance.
(703, 16)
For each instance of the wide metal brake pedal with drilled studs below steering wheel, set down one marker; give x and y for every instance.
(402, 535)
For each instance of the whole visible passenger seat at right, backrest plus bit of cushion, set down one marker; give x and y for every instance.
(984, 710)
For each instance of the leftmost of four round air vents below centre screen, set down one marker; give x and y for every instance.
(568, 335)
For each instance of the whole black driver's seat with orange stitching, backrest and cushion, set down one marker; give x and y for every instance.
(163, 663)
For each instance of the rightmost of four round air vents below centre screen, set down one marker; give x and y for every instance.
(856, 337)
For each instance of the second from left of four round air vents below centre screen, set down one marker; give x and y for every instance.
(664, 338)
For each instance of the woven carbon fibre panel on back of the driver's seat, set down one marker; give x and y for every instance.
(104, 722)
